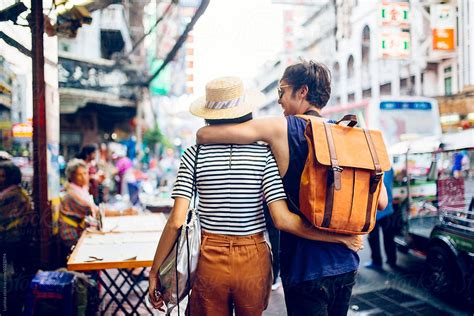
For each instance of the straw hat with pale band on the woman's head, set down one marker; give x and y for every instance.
(226, 99)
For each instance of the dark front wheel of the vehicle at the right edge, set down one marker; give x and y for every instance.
(441, 272)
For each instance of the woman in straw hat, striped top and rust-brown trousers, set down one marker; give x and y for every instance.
(234, 270)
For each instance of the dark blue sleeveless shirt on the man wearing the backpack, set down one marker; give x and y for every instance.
(303, 259)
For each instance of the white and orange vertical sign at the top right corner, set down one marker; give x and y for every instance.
(443, 25)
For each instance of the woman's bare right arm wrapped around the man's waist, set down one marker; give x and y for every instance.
(292, 223)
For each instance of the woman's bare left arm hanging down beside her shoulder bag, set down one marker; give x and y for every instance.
(168, 237)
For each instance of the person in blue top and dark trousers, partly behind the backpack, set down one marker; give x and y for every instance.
(386, 222)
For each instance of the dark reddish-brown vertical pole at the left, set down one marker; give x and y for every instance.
(40, 184)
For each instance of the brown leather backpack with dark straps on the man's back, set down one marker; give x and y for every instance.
(342, 178)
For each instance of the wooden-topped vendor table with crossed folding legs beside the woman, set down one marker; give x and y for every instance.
(116, 255)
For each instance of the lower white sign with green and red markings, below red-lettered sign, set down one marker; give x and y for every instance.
(395, 45)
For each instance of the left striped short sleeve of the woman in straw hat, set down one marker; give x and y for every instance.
(183, 187)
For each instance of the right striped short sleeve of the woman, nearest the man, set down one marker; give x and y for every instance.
(272, 185)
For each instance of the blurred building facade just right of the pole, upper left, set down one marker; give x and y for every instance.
(99, 78)
